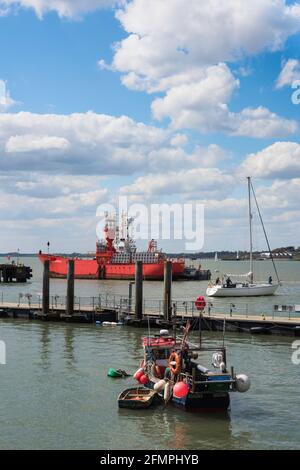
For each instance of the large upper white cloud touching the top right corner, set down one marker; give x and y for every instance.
(170, 38)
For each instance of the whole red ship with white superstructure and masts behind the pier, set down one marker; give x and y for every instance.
(115, 258)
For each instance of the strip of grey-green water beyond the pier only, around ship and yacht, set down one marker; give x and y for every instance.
(288, 293)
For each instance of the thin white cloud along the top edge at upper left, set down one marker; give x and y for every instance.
(64, 8)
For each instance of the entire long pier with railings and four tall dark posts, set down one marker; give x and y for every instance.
(140, 312)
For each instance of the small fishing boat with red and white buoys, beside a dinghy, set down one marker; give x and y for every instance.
(172, 368)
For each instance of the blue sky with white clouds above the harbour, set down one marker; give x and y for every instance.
(161, 101)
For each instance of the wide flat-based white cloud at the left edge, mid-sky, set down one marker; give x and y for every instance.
(86, 143)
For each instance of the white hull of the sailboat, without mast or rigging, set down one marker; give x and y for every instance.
(253, 290)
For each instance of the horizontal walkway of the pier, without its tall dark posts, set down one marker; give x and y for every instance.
(90, 310)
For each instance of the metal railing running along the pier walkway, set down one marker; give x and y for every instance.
(125, 305)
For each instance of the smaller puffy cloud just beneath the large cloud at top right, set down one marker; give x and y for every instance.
(203, 105)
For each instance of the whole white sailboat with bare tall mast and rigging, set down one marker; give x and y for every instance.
(246, 287)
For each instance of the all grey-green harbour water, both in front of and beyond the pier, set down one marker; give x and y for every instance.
(55, 392)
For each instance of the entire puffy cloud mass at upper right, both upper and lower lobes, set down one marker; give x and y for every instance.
(174, 49)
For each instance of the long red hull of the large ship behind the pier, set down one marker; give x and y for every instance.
(90, 269)
